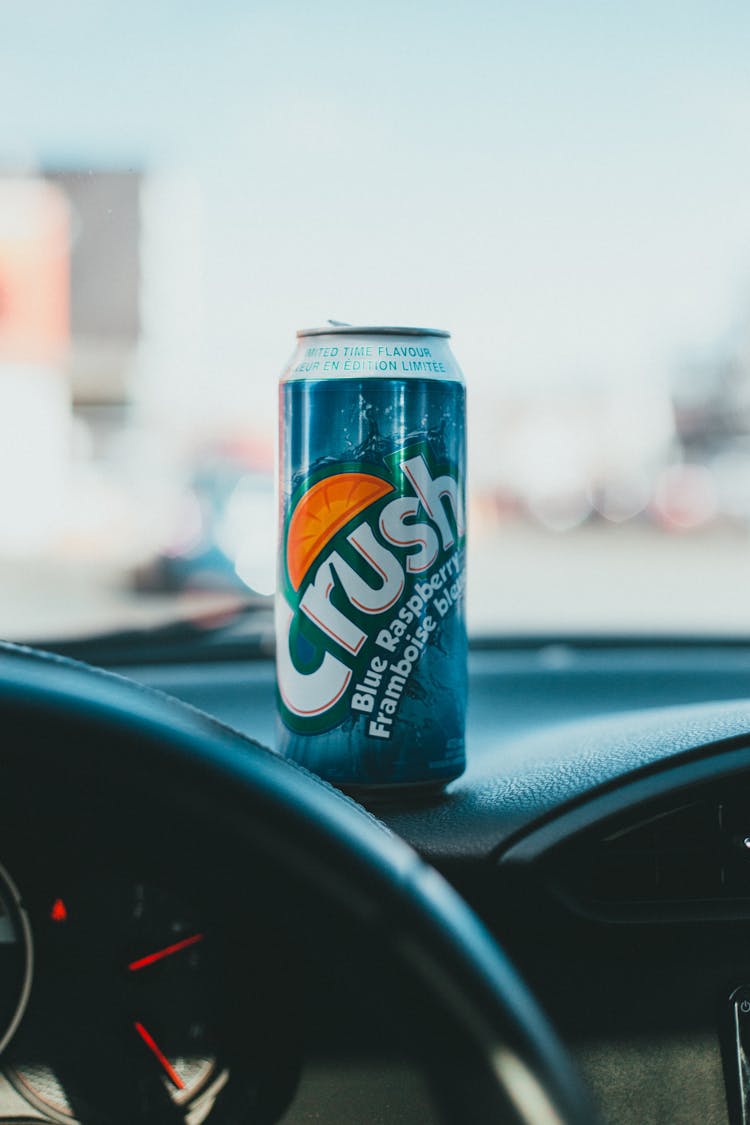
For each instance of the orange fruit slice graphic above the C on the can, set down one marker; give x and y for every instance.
(323, 511)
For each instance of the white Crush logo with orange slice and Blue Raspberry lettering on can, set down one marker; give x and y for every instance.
(372, 566)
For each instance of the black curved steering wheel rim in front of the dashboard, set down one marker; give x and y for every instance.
(76, 730)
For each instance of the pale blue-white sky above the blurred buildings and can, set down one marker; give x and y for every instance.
(564, 186)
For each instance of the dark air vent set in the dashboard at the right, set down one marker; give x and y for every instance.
(695, 852)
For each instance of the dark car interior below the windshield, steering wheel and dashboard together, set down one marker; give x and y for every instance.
(598, 840)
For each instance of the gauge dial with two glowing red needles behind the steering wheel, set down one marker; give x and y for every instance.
(124, 1023)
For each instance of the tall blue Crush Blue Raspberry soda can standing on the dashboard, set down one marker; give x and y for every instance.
(372, 641)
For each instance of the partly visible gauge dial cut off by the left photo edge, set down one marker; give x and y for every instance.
(16, 959)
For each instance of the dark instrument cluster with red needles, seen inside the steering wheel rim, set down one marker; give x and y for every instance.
(125, 997)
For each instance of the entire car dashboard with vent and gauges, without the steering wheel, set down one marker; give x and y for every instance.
(602, 832)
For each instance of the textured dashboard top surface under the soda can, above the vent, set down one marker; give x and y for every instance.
(546, 727)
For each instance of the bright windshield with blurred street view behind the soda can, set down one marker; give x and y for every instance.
(564, 187)
